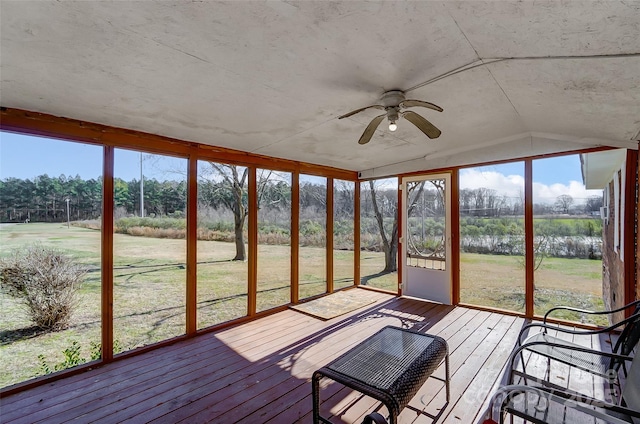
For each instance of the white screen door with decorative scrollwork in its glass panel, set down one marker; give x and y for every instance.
(426, 237)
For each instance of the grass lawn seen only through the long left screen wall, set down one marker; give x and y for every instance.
(149, 291)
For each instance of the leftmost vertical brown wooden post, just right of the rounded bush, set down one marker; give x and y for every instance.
(107, 253)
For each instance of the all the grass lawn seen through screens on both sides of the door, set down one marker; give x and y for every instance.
(150, 288)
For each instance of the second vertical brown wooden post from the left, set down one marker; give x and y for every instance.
(192, 244)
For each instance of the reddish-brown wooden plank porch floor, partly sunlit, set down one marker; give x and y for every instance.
(259, 372)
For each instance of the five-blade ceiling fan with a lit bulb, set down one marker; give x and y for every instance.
(392, 103)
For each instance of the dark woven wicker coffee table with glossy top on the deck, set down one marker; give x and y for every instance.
(389, 366)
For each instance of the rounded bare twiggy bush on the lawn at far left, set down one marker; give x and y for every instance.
(46, 281)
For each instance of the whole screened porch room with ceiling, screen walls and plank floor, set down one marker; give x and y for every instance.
(195, 162)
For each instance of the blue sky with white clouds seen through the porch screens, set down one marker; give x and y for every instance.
(27, 157)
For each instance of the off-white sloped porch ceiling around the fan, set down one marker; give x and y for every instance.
(515, 78)
